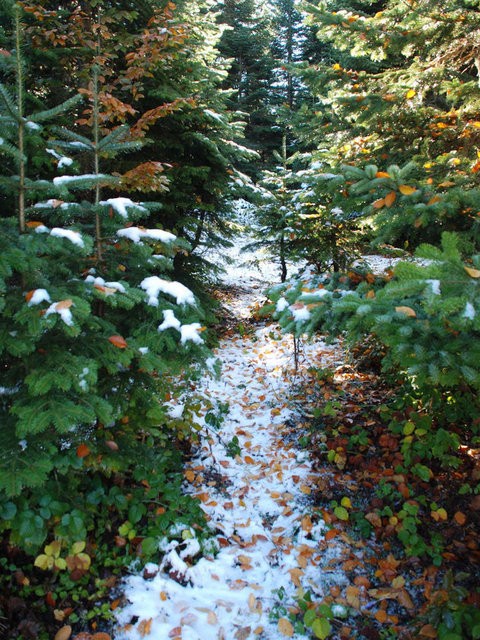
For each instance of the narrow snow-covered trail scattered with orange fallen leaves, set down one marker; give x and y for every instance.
(269, 545)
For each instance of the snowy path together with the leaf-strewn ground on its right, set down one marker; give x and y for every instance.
(285, 560)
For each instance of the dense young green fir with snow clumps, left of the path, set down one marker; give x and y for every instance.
(91, 322)
